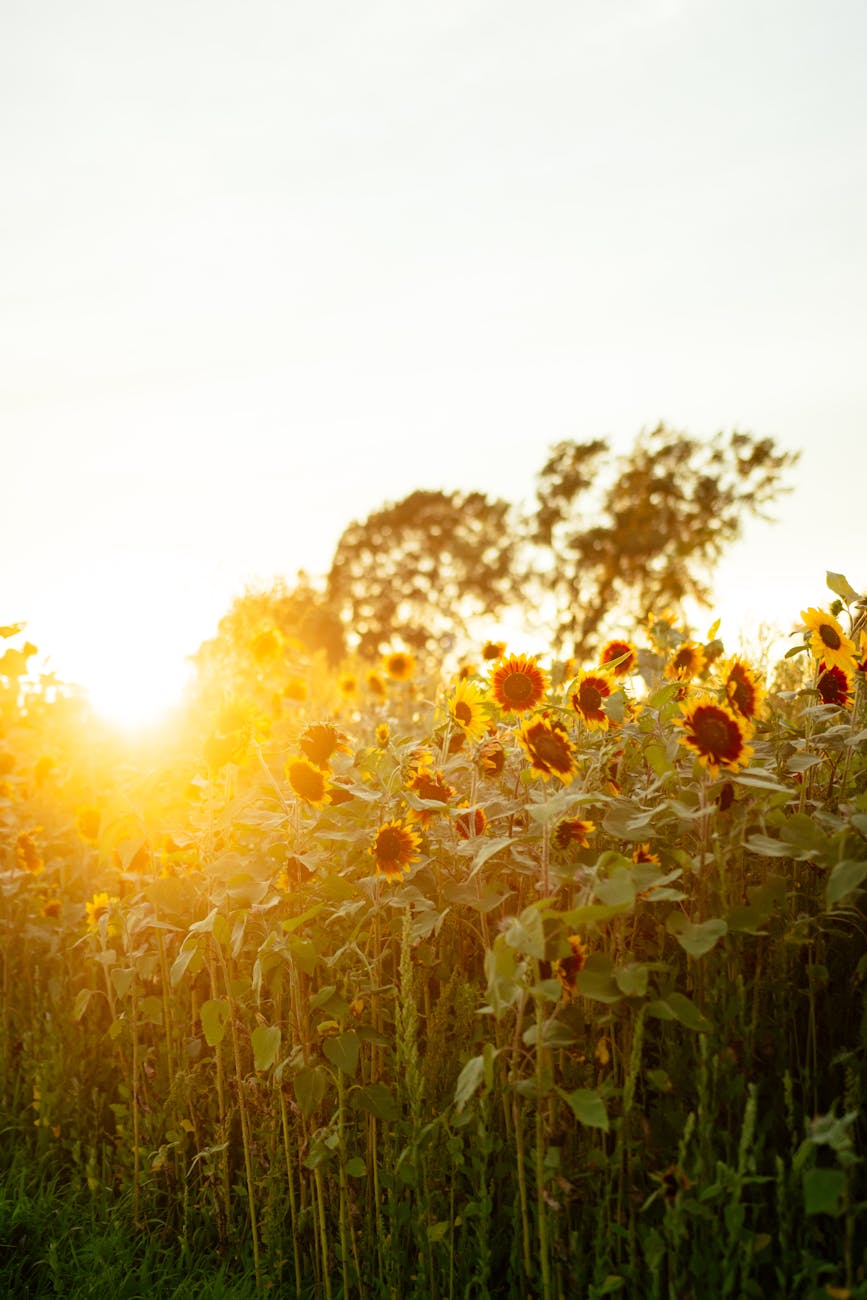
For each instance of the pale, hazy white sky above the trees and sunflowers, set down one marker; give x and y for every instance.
(265, 267)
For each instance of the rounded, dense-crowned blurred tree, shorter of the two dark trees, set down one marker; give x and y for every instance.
(419, 569)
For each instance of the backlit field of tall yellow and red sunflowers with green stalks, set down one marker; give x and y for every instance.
(536, 978)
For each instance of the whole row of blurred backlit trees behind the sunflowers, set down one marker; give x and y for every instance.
(604, 541)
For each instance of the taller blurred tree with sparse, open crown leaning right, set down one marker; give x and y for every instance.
(651, 535)
